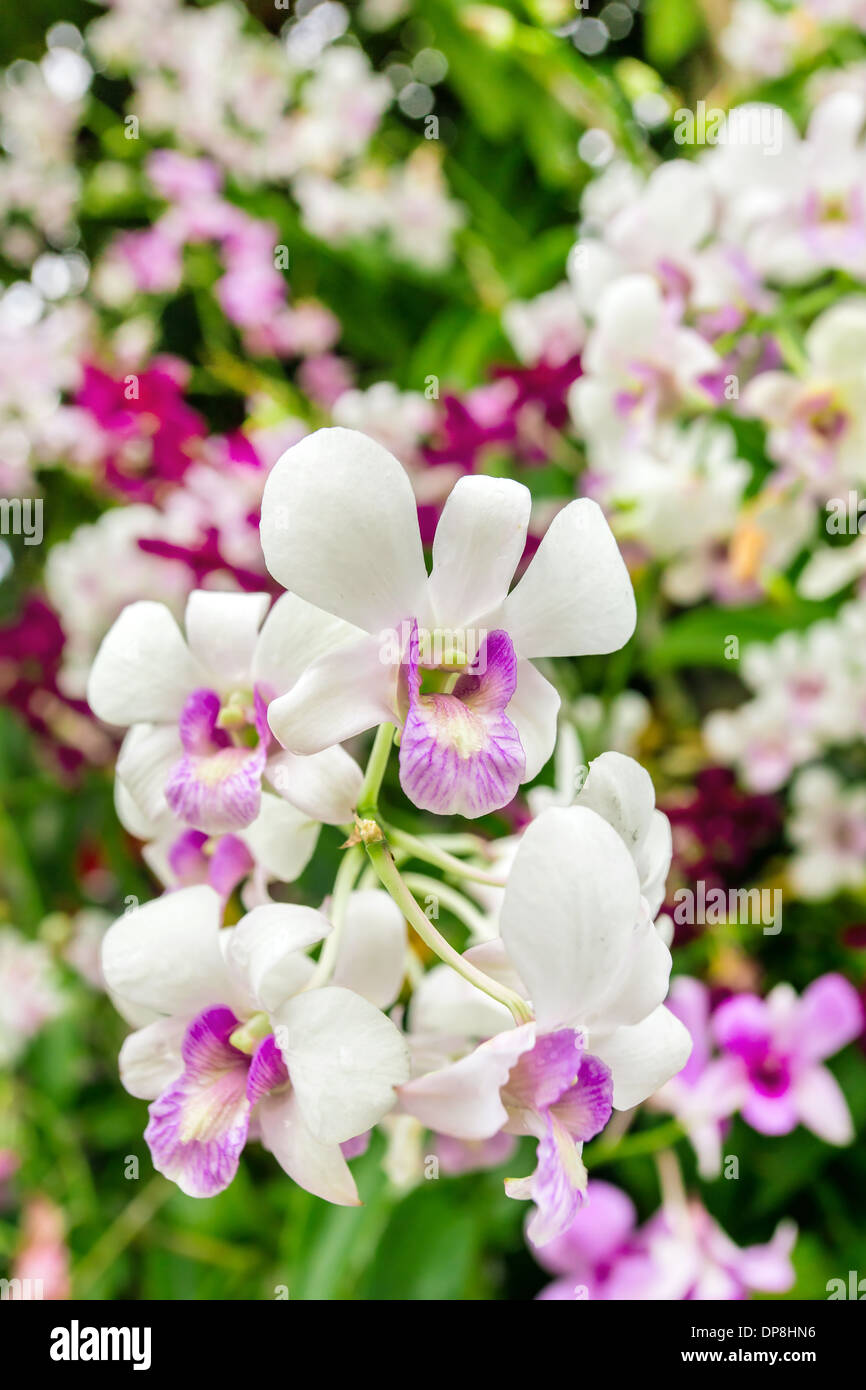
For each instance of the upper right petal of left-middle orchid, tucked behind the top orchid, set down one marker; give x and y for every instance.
(294, 636)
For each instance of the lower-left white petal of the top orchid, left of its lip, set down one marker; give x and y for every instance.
(343, 696)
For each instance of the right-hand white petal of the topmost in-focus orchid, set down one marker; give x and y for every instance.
(576, 597)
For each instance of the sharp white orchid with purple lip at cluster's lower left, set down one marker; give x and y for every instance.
(233, 1031)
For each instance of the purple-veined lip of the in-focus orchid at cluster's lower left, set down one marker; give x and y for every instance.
(199, 1124)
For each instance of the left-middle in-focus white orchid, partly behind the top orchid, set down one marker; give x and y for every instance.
(197, 754)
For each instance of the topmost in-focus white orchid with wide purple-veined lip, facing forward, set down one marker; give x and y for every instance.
(340, 529)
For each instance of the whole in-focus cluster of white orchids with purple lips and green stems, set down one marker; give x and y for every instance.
(234, 760)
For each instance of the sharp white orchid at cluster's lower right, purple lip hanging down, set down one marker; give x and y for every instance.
(579, 942)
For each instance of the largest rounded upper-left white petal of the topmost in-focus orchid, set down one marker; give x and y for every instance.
(340, 528)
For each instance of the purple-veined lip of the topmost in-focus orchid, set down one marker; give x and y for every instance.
(461, 754)
